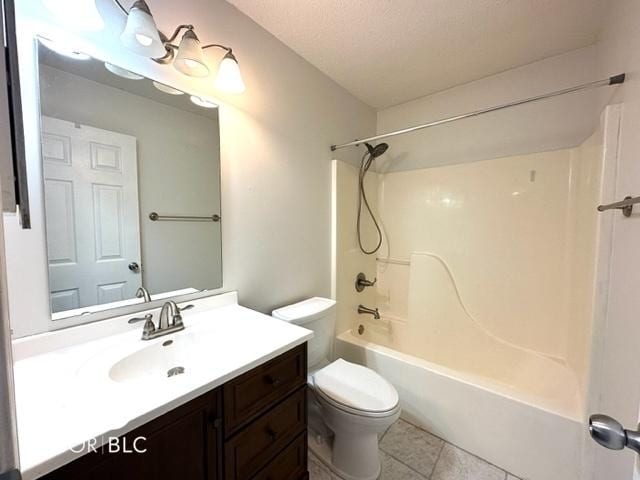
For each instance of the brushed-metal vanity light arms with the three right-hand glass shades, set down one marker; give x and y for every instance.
(141, 36)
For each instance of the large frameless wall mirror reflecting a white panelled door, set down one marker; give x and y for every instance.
(131, 182)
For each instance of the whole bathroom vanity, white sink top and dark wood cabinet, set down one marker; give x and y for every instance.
(237, 412)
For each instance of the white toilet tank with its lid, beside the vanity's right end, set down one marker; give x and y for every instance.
(317, 314)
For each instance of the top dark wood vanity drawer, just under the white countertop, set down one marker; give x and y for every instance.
(257, 390)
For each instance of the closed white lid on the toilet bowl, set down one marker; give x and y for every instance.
(356, 387)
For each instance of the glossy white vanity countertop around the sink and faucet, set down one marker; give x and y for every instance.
(65, 395)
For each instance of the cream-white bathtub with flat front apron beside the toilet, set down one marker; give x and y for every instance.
(517, 410)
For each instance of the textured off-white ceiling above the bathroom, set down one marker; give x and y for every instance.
(386, 52)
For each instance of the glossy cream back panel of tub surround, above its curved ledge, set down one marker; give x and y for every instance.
(504, 228)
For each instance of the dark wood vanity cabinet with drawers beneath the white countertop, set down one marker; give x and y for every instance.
(253, 427)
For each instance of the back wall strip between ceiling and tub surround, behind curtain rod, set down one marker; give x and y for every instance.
(568, 120)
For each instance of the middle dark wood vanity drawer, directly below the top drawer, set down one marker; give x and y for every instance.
(252, 448)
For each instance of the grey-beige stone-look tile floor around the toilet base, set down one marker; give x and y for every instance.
(410, 453)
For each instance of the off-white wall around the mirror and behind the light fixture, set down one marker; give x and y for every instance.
(275, 157)
